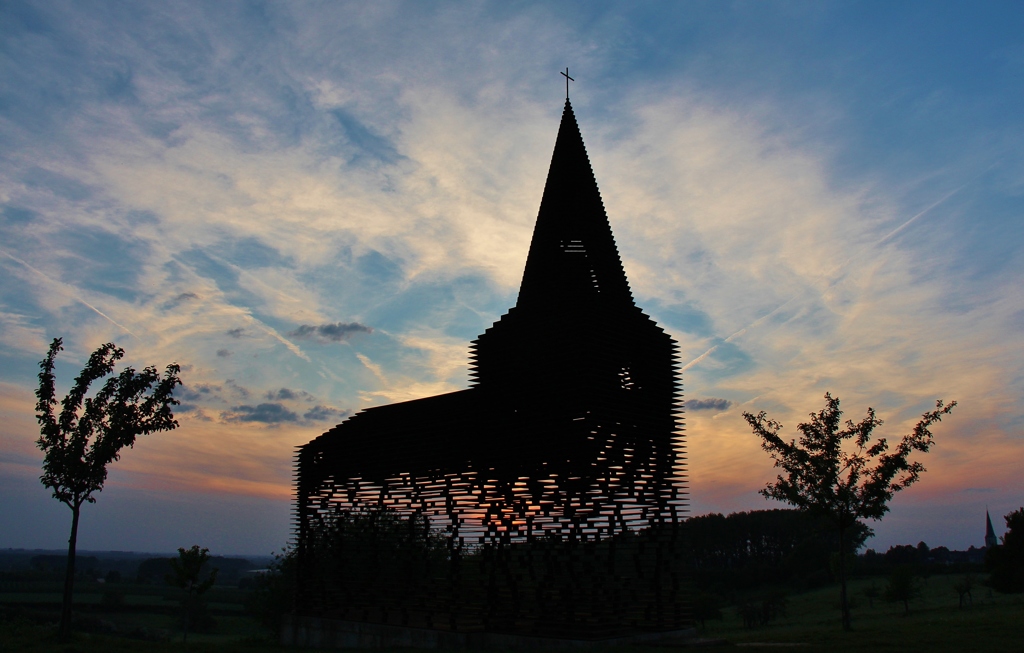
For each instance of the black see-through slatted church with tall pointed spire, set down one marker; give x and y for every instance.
(545, 499)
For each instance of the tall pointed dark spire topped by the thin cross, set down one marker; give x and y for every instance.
(573, 256)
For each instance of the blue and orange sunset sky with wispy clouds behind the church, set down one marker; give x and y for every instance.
(315, 207)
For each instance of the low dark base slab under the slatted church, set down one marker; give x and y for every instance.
(336, 634)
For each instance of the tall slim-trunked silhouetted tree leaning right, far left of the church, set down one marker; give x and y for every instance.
(91, 432)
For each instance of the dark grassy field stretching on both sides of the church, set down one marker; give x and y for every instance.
(994, 624)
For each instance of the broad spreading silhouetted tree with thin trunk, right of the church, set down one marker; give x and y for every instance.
(843, 486)
